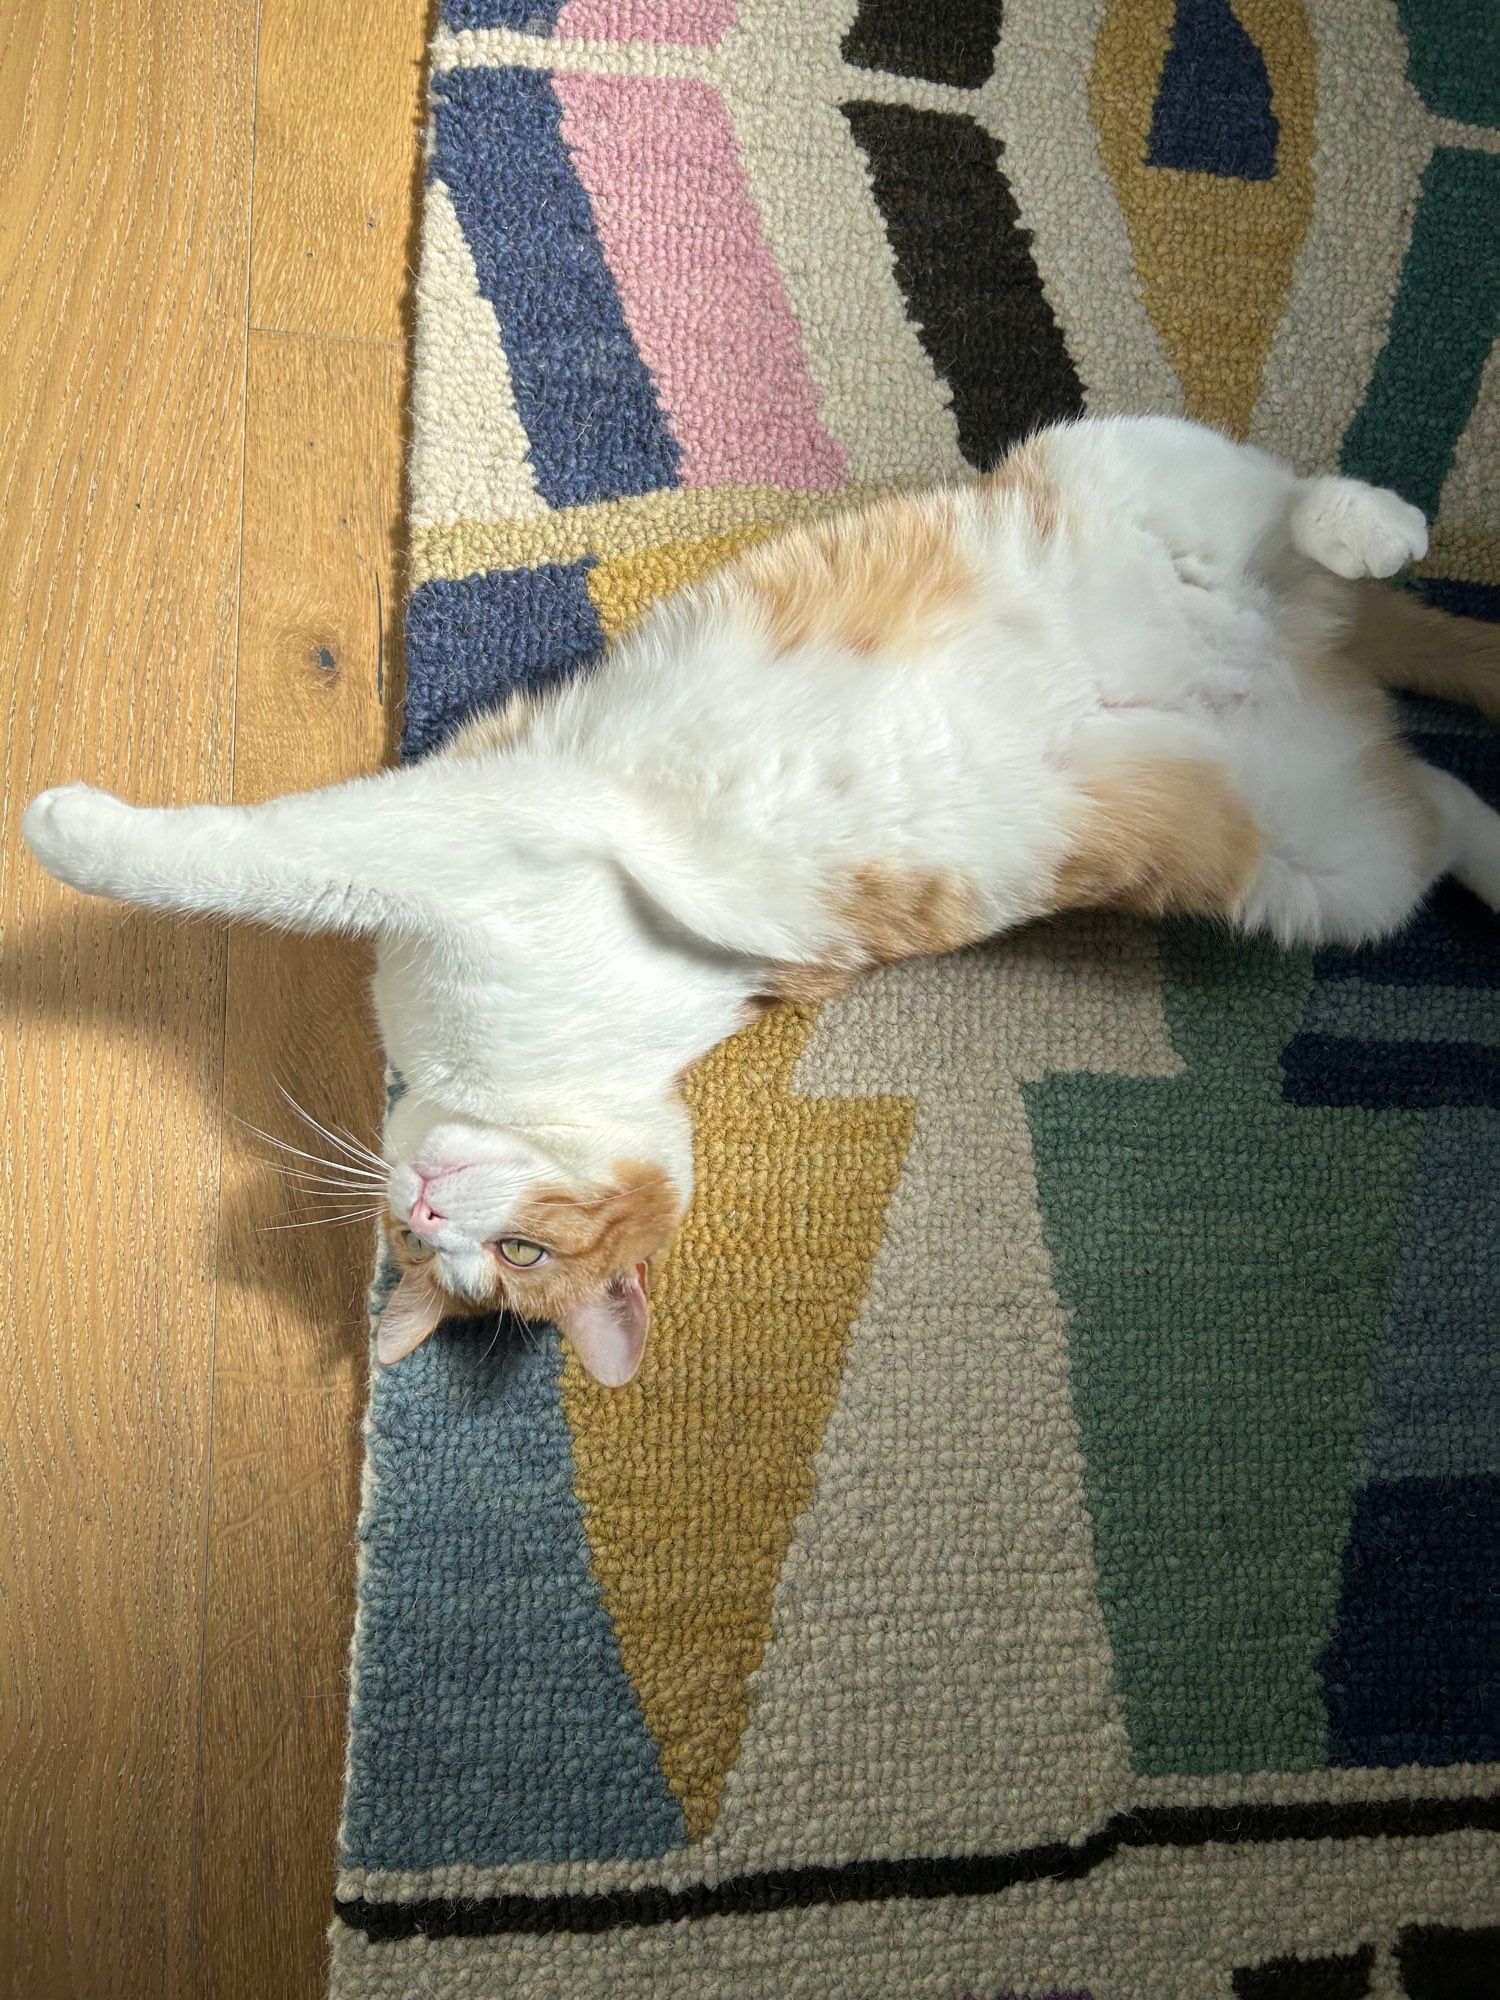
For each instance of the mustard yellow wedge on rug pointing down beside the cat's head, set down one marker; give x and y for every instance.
(693, 1479)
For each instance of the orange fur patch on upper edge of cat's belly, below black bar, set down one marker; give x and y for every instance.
(873, 583)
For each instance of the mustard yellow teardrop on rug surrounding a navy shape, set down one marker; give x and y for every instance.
(1215, 255)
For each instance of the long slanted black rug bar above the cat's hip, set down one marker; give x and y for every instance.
(965, 267)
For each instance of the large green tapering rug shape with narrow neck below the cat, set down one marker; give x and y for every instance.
(1227, 1261)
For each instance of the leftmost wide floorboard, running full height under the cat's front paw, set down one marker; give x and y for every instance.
(125, 129)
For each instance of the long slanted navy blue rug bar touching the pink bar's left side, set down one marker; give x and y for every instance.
(585, 397)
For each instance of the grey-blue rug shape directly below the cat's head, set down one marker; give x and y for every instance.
(493, 1719)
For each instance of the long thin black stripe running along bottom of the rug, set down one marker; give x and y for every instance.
(923, 1879)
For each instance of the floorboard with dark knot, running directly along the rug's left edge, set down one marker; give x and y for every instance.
(321, 597)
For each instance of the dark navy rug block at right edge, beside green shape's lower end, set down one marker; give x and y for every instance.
(1409, 1677)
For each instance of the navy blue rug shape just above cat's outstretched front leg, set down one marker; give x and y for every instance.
(473, 641)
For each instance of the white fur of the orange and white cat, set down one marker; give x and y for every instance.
(567, 925)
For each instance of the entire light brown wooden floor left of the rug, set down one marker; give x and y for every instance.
(203, 283)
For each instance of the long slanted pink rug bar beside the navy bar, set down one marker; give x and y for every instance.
(697, 279)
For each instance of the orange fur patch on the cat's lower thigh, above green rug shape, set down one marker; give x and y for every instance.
(1157, 839)
